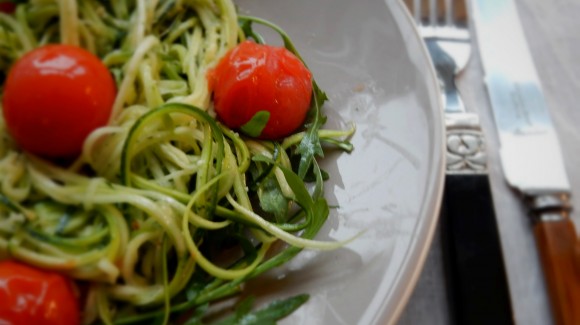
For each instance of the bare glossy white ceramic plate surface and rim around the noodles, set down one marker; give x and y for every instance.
(369, 59)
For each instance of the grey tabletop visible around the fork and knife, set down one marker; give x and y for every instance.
(553, 32)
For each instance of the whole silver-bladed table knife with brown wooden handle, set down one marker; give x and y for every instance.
(529, 149)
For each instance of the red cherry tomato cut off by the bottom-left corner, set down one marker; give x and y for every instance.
(32, 296)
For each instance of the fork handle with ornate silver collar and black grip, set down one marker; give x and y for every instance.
(473, 256)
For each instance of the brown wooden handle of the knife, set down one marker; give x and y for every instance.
(559, 252)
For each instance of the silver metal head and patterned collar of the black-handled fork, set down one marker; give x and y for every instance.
(444, 28)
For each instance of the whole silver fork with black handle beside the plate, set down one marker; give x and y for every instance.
(475, 269)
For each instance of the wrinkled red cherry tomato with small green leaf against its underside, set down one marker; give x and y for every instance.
(253, 78)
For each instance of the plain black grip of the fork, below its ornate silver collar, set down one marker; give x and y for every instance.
(475, 269)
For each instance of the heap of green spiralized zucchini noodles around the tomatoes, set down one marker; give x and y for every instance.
(166, 210)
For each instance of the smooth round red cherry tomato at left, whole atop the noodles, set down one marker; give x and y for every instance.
(54, 96)
